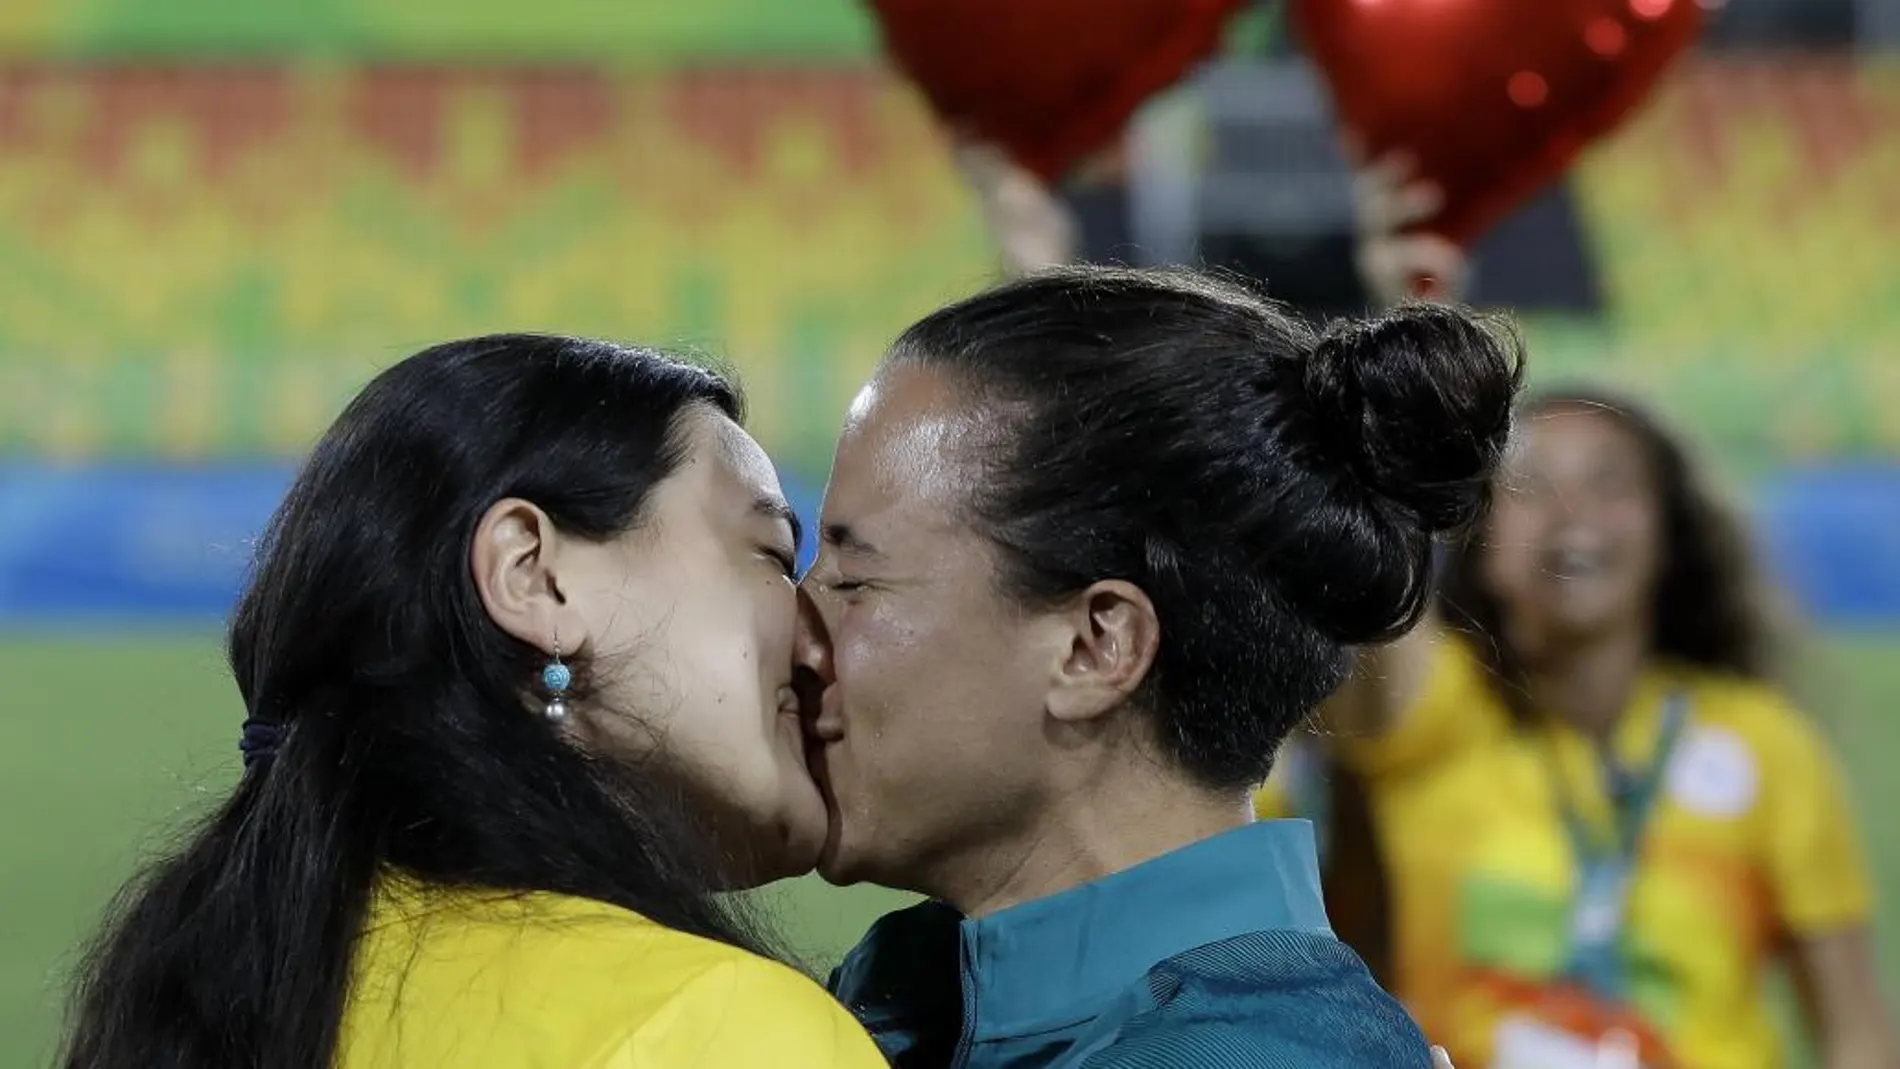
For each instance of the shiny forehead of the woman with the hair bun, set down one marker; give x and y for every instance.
(903, 460)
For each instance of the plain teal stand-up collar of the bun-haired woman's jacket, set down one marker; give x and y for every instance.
(1057, 962)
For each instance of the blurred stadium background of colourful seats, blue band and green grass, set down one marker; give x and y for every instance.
(219, 217)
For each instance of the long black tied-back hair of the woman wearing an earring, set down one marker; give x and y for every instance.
(406, 740)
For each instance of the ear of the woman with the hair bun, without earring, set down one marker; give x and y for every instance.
(1112, 645)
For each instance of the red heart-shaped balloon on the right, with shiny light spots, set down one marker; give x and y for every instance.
(1491, 98)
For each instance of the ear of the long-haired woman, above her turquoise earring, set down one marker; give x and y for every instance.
(516, 567)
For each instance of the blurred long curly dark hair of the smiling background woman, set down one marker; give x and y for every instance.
(1709, 609)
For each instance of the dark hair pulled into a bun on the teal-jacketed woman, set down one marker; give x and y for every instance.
(1274, 491)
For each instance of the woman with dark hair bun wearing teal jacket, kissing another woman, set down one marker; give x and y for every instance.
(1093, 544)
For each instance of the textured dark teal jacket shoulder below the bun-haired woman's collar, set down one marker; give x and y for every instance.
(1264, 1000)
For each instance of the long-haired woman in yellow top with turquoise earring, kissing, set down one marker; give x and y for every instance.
(518, 667)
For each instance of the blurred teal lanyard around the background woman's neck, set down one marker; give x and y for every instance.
(1605, 871)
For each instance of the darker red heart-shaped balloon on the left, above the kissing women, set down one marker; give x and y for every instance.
(1048, 81)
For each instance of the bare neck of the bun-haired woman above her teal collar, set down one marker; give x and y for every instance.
(1092, 831)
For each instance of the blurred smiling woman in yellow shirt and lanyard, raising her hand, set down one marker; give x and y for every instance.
(1644, 823)
